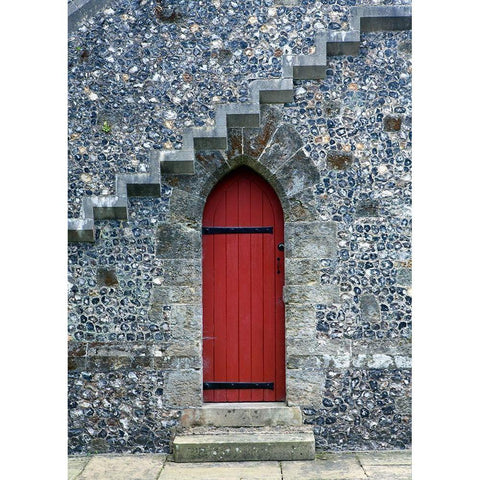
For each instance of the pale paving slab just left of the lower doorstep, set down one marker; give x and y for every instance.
(123, 467)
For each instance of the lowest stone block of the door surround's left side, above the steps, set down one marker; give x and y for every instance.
(182, 389)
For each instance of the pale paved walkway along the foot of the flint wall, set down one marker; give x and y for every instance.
(371, 465)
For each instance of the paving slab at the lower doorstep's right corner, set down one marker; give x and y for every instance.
(327, 466)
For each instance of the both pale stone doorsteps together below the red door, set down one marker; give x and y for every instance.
(235, 432)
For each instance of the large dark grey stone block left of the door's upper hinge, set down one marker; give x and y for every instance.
(178, 241)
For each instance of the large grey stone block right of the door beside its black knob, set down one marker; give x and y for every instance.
(310, 239)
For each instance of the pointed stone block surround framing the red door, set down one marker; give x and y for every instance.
(274, 151)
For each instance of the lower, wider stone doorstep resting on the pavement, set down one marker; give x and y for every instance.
(253, 445)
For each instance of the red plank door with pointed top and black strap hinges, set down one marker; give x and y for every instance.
(243, 277)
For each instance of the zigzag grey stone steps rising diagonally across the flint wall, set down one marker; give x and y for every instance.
(262, 91)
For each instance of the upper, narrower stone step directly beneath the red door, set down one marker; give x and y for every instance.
(255, 414)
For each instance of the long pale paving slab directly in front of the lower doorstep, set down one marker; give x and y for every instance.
(222, 471)
